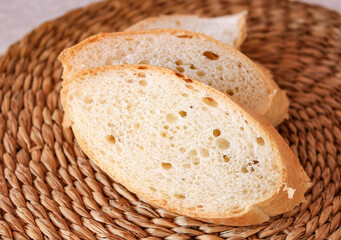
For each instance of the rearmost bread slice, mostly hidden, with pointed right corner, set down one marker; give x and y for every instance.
(230, 29)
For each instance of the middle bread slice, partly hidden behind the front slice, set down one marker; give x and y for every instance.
(196, 55)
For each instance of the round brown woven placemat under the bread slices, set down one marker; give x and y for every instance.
(50, 190)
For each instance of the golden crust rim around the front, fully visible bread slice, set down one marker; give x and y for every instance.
(293, 177)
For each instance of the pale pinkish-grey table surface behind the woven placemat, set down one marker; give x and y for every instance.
(19, 17)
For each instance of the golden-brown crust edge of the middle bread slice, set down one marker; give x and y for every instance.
(276, 108)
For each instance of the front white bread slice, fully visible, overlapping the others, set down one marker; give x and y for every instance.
(182, 145)
